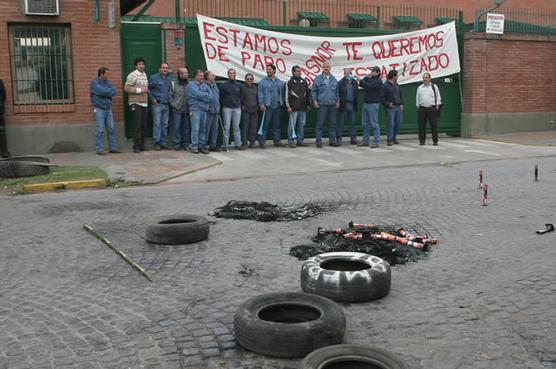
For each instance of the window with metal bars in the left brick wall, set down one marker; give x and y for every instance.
(41, 61)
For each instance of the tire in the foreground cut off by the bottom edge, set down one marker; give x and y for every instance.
(352, 357)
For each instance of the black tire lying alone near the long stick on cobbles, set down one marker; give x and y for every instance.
(178, 229)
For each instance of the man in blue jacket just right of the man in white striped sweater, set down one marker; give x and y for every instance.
(160, 86)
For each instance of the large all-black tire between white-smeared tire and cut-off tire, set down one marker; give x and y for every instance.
(288, 324)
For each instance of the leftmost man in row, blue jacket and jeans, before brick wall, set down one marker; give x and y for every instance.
(102, 93)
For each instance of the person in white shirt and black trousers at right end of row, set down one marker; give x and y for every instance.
(428, 103)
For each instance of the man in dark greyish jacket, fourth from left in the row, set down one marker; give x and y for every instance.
(178, 101)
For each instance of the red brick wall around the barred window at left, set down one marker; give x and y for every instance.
(93, 45)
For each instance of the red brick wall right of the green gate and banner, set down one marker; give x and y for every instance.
(509, 73)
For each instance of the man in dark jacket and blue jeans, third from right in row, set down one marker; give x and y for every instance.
(372, 84)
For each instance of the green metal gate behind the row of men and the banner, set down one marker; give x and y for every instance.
(146, 39)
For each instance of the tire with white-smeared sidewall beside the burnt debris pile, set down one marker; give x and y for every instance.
(346, 276)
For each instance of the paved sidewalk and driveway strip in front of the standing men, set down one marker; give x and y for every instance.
(153, 167)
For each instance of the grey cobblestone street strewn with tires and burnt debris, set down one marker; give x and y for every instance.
(484, 298)
